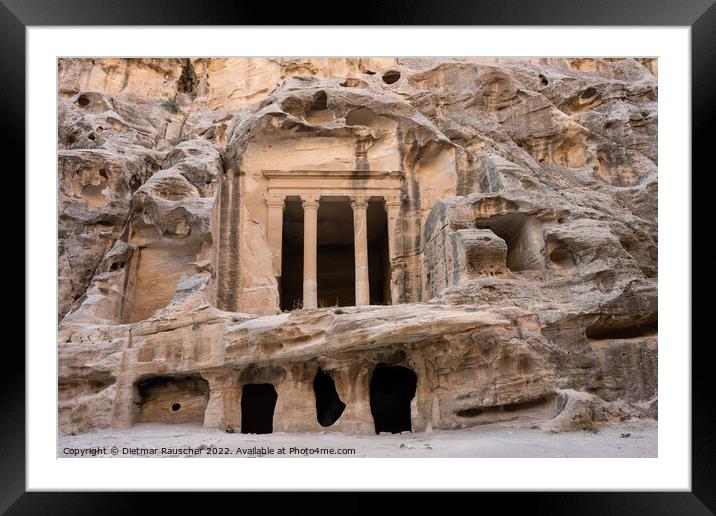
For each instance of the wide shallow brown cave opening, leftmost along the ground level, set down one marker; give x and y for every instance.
(172, 399)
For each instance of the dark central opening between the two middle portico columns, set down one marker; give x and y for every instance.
(336, 253)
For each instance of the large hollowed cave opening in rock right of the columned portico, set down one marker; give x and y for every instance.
(524, 239)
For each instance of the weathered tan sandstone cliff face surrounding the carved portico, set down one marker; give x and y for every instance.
(521, 283)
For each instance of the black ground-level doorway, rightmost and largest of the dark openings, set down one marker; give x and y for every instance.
(391, 390)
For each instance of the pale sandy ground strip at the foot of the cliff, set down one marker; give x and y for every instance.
(634, 439)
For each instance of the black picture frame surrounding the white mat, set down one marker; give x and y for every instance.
(700, 15)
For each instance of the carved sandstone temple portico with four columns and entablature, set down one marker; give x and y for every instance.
(356, 209)
